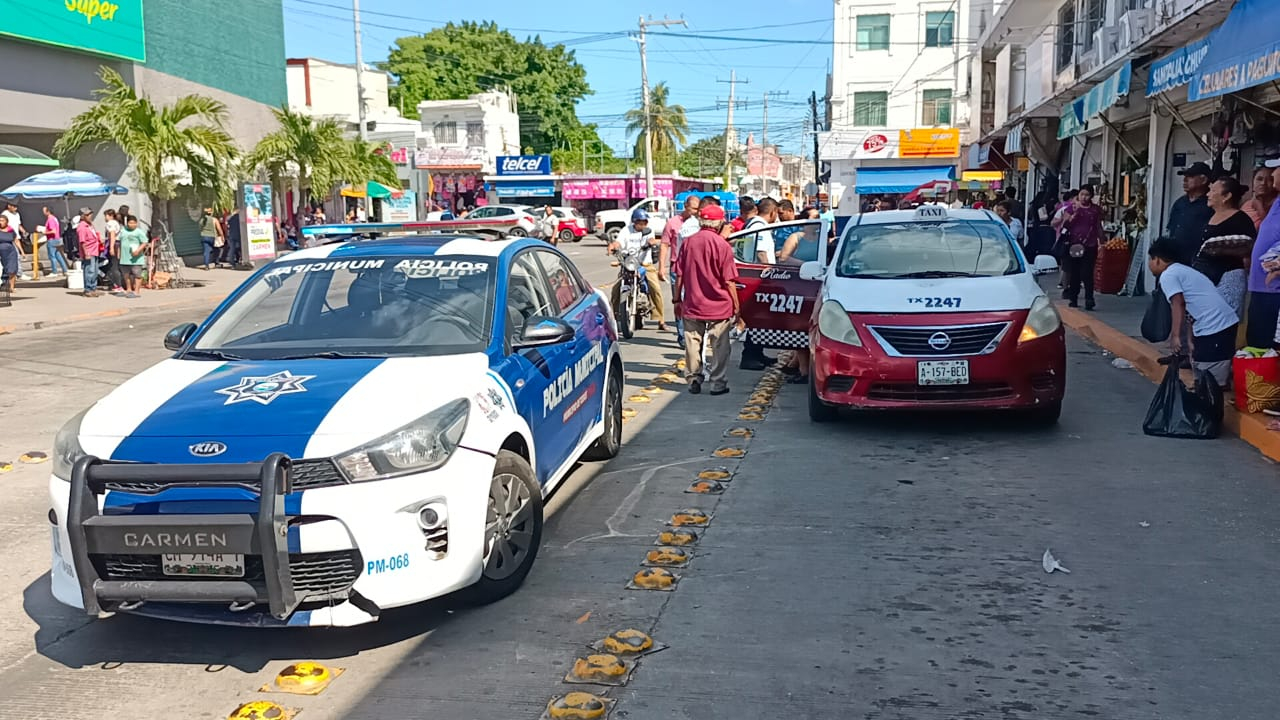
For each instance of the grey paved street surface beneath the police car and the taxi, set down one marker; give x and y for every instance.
(881, 568)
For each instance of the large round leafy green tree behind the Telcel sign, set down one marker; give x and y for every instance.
(458, 61)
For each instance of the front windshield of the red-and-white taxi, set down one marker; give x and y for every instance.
(953, 249)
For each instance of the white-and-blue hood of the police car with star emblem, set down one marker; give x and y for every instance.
(303, 408)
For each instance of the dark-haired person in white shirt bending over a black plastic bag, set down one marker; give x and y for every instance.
(1214, 321)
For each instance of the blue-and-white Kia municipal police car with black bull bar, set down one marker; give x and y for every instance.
(360, 426)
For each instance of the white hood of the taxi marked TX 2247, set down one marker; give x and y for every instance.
(940, 295)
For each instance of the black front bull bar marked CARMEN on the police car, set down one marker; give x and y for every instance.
(263, 535)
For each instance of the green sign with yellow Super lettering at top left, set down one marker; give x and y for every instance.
(102, 28)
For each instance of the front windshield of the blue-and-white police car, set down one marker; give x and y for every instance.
(358, 307)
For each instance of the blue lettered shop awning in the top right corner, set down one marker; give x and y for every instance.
(1244, 53)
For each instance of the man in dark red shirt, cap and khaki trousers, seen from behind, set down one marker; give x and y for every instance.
(707, 299)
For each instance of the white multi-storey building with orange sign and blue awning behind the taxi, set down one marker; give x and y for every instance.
(899, 95)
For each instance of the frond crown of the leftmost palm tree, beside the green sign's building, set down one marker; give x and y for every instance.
(171, 147)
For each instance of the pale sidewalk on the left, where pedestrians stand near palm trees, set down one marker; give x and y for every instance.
(49, 303)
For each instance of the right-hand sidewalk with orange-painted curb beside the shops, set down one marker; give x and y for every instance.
(1116, 326)
